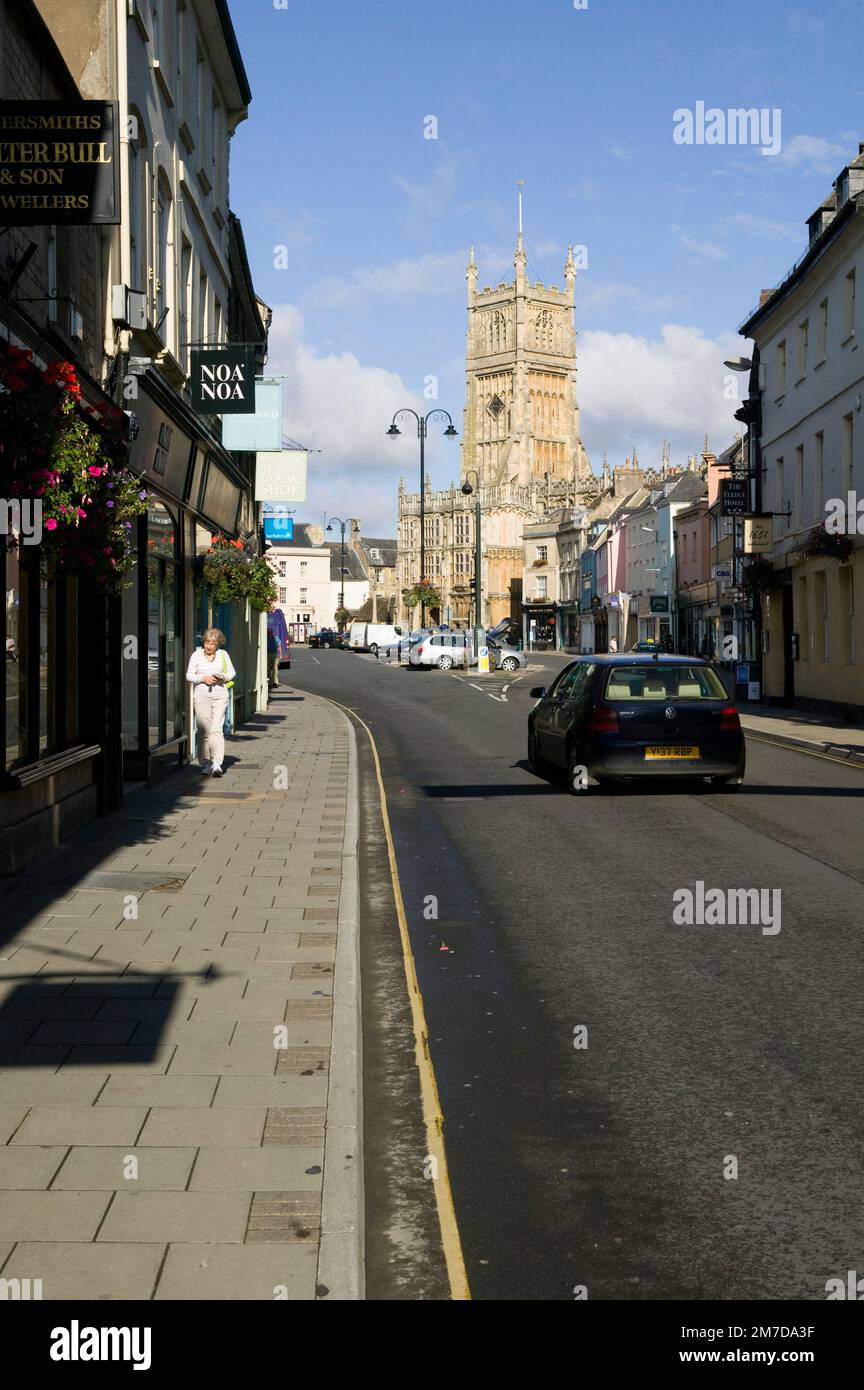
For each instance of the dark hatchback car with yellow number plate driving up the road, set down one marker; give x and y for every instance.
(624, 717)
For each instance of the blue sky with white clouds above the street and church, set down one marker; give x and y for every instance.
(377, 222)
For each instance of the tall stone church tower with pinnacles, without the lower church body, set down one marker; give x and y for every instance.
(522, 422)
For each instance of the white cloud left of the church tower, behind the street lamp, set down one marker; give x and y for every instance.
(342, 407)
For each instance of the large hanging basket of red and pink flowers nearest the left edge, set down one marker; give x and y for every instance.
(70, 466)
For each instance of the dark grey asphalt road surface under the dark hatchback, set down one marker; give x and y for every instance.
(706, 1143)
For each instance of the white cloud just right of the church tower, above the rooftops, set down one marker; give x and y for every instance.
(672, 387)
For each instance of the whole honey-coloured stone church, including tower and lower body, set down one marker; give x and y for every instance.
(520, 441)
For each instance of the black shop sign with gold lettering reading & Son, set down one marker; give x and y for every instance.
(59, 163)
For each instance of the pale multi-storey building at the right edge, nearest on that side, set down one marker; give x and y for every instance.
(809, 333)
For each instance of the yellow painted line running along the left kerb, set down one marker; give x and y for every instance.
(429, 1086)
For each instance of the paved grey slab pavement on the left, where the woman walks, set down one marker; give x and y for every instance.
(180, 1035)
